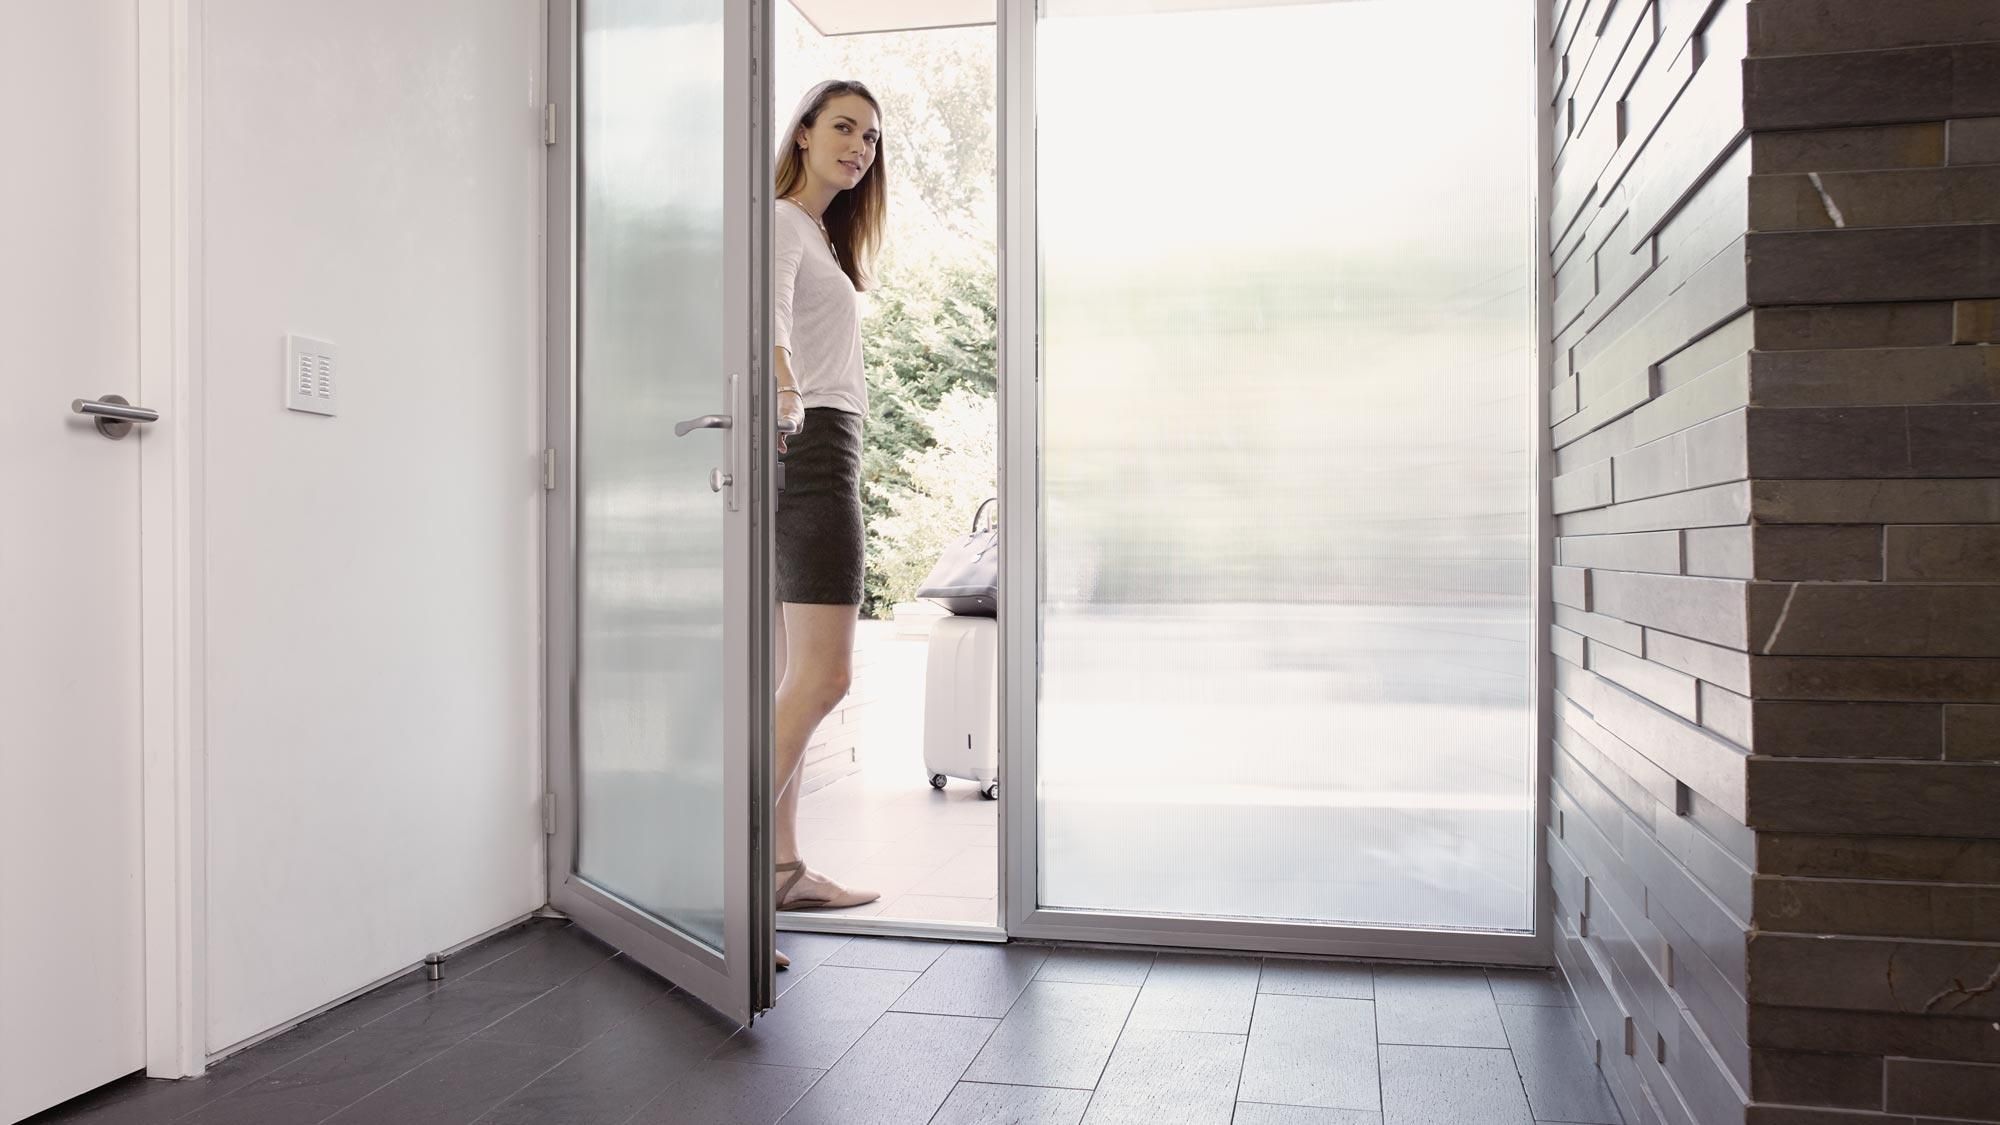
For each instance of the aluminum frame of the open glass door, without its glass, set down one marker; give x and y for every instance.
(745, 986)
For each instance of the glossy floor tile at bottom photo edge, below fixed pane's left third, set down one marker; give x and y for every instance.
(1169, 1078)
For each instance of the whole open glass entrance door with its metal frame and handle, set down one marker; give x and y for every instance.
(659, 523)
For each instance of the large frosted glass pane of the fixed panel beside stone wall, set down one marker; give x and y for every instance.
(1287, 479)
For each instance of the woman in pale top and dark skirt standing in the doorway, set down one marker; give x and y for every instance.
(831, 207)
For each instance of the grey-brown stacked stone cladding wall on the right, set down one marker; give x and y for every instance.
(1775, 413)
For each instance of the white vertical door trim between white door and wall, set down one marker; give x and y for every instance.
(171, 537)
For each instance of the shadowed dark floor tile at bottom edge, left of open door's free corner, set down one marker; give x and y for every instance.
(623, 1070)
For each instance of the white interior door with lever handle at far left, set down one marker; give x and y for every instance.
(71, 910)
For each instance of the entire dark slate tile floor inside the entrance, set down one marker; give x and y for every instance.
(547, 1026)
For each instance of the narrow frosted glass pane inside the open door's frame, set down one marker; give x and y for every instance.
(651, 557)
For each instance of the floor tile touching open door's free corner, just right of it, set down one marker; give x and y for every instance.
(819, 1020)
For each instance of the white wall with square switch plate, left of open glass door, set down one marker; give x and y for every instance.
(371, 175)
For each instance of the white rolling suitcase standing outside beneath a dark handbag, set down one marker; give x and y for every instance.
(963, 704)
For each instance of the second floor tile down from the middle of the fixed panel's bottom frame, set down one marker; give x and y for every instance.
(1313, 1052)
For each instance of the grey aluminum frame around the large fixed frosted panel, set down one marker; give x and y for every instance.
(1021, 572)
